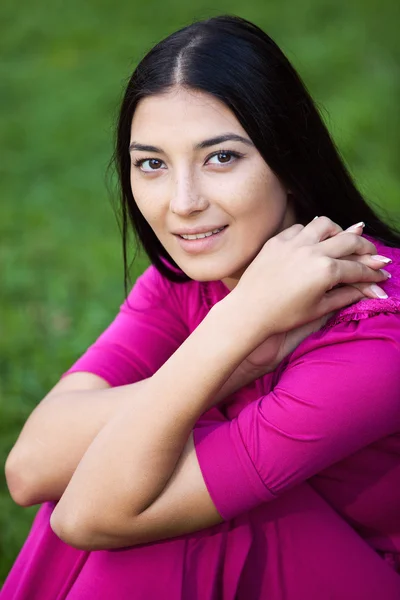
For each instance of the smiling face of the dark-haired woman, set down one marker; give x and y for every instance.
(194, 168)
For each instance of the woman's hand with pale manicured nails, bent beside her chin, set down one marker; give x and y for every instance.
(293, 279)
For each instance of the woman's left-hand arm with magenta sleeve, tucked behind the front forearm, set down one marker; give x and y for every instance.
(150, 326)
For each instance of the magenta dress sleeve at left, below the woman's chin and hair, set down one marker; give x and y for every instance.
(148, 329)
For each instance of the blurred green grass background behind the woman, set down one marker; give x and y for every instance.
(63, 69)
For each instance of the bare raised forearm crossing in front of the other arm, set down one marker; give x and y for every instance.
(132, 458)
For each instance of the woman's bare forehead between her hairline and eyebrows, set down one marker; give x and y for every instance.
(181, 112)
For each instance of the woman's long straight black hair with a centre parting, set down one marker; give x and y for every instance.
(239, 64)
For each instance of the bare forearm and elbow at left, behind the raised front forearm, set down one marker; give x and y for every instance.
(59, 431)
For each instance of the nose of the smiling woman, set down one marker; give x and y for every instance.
(186, 196)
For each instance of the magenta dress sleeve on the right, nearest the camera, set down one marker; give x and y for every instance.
(338, 393)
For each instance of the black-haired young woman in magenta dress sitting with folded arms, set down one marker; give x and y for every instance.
(234, 433)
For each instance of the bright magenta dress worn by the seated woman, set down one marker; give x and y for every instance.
(303, 465)
